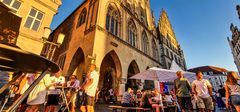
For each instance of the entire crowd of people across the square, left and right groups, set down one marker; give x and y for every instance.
(185, 96)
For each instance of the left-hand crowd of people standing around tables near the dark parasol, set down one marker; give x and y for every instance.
(46, 95)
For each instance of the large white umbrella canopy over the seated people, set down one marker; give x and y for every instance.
(162, 75)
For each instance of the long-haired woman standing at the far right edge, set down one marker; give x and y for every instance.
(232, 87)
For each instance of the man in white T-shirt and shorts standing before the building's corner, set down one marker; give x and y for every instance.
(90, 87)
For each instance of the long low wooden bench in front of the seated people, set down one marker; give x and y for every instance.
(138, 109)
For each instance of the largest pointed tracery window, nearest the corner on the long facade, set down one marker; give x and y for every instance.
(113, 21)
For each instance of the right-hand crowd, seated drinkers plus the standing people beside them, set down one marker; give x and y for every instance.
(188, 97)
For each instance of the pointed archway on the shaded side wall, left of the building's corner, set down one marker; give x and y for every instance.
(77, 64)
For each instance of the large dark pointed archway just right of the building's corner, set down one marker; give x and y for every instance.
(110, 73)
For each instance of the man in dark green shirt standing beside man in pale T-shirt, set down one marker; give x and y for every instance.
(182, 90)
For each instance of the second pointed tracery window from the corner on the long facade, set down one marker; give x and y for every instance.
(132, 33)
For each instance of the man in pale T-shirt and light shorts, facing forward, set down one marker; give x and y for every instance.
(203, 90)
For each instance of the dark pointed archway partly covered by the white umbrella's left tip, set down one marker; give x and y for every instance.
(132, 70)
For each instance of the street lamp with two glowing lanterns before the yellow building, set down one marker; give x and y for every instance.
(52, 45)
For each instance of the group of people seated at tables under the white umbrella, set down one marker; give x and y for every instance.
(147, 99)
